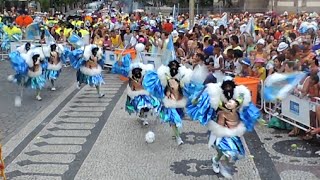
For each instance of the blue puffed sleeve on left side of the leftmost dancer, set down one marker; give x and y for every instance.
(18, 63)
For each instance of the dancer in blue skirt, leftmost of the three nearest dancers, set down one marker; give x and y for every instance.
(139, 100)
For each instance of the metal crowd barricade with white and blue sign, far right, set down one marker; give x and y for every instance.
(299, 112)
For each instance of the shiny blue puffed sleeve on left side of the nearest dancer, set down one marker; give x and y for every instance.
(199, 109)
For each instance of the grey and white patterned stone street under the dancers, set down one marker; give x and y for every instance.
(72, 134)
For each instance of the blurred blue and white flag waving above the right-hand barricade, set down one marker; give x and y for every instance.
(279, 85)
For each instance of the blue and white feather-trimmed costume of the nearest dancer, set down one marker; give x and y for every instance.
(203, 106)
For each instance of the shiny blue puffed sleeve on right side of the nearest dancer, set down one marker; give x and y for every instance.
(249, 116)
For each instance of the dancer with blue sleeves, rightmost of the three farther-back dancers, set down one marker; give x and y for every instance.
(88, 60)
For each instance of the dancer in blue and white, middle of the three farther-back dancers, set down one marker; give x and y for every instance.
(55, 60)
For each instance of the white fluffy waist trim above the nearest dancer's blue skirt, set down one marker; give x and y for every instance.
(221, 131)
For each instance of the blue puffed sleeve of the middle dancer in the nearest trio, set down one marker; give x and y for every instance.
(152, 84)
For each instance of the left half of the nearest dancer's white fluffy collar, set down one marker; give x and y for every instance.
(215, 92)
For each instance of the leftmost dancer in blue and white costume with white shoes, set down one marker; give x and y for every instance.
(28, 71)
